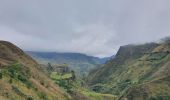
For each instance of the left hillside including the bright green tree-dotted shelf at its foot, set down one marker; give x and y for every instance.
(22, 78)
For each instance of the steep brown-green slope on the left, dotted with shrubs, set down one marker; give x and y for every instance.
(21, 77)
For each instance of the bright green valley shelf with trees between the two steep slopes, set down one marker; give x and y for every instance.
(76, 87)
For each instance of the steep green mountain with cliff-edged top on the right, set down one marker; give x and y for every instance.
(138, 72)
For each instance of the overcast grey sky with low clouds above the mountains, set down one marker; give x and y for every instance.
(93, 27)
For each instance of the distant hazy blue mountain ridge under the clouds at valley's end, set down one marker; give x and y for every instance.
(80, 63)
